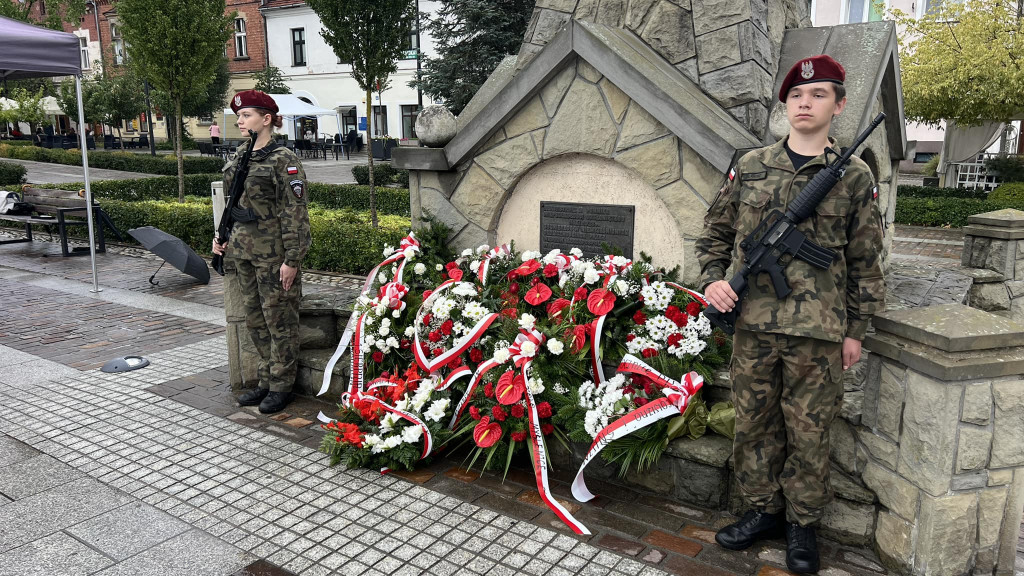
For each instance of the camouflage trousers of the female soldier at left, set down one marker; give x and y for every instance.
(273, 320)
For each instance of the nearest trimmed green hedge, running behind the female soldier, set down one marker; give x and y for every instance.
(344, 241)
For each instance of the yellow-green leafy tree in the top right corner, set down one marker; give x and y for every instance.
(963, 62)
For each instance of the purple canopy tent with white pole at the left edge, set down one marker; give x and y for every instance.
(30, 52)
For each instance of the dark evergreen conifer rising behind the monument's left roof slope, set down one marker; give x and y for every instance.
(472, 38)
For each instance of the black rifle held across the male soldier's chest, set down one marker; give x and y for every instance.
(778, 236)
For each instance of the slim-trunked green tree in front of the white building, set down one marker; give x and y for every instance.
(372, 35)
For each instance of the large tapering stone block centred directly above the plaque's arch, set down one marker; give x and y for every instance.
(582, 125)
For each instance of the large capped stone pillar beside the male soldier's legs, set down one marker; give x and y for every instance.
(941, 442)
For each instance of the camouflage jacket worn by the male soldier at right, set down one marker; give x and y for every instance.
(825, 304)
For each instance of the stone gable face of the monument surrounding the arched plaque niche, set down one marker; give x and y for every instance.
(577, 112)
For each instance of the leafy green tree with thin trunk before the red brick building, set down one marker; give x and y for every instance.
(178, 47)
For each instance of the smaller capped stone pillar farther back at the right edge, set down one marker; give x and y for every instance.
(995, 241)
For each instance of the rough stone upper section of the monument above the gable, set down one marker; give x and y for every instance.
(730, 48)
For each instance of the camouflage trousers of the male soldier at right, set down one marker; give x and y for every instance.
(787, 391)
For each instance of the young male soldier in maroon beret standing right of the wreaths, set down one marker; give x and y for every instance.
(790, 354)
